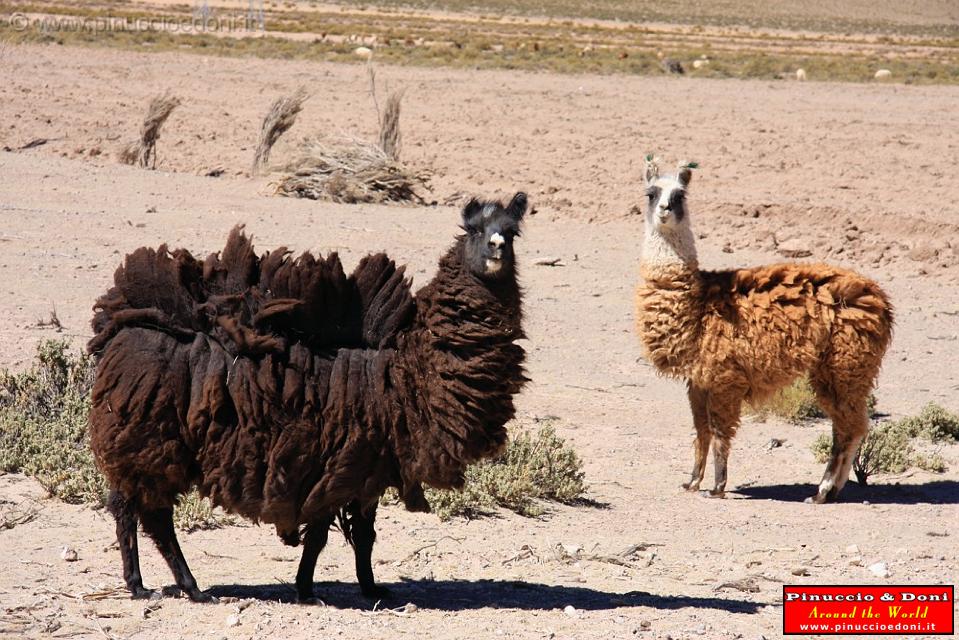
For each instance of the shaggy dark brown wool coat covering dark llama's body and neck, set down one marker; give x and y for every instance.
(284, 389)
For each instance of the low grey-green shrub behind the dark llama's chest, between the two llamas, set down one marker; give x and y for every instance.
(533, 468)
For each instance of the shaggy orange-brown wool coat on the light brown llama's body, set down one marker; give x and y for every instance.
(757, 329)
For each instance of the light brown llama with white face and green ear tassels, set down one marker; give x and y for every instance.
(743, 334)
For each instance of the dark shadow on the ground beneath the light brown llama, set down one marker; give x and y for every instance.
(936, 492)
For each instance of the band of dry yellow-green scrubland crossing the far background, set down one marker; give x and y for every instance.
(924, 54)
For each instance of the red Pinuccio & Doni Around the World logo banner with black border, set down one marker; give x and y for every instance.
(868, 610)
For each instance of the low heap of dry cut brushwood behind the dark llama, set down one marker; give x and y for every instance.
(350, 170)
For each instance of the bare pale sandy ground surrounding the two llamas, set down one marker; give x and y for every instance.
(786, 169)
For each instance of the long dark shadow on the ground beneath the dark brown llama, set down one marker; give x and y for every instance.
(464, 595)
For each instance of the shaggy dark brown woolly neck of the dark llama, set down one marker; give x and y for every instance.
(463, 366)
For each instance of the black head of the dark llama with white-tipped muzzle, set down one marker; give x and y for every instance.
(491, 229)
